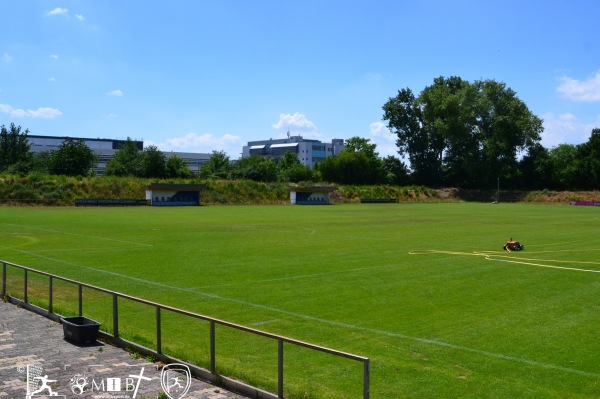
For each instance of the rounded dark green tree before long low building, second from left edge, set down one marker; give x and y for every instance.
(73, 158)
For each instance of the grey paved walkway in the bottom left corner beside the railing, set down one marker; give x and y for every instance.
(33, 346)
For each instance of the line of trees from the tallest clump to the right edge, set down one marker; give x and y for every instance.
(469, 134)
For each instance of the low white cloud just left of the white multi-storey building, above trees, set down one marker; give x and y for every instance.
(204, 143)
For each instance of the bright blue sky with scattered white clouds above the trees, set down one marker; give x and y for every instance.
(198, 76)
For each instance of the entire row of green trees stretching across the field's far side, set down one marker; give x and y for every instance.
(454, 133)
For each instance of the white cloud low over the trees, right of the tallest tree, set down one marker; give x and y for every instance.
(566, 129)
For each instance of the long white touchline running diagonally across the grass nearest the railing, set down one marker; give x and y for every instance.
(336, 323)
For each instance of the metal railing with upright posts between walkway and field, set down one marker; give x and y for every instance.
(160, 308)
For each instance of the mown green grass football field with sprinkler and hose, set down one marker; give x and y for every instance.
(424, 290)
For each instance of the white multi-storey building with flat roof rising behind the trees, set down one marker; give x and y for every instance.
(309, 152)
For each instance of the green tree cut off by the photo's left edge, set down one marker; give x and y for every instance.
(15, 150)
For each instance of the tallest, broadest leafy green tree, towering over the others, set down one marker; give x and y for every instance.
(461, 133)
